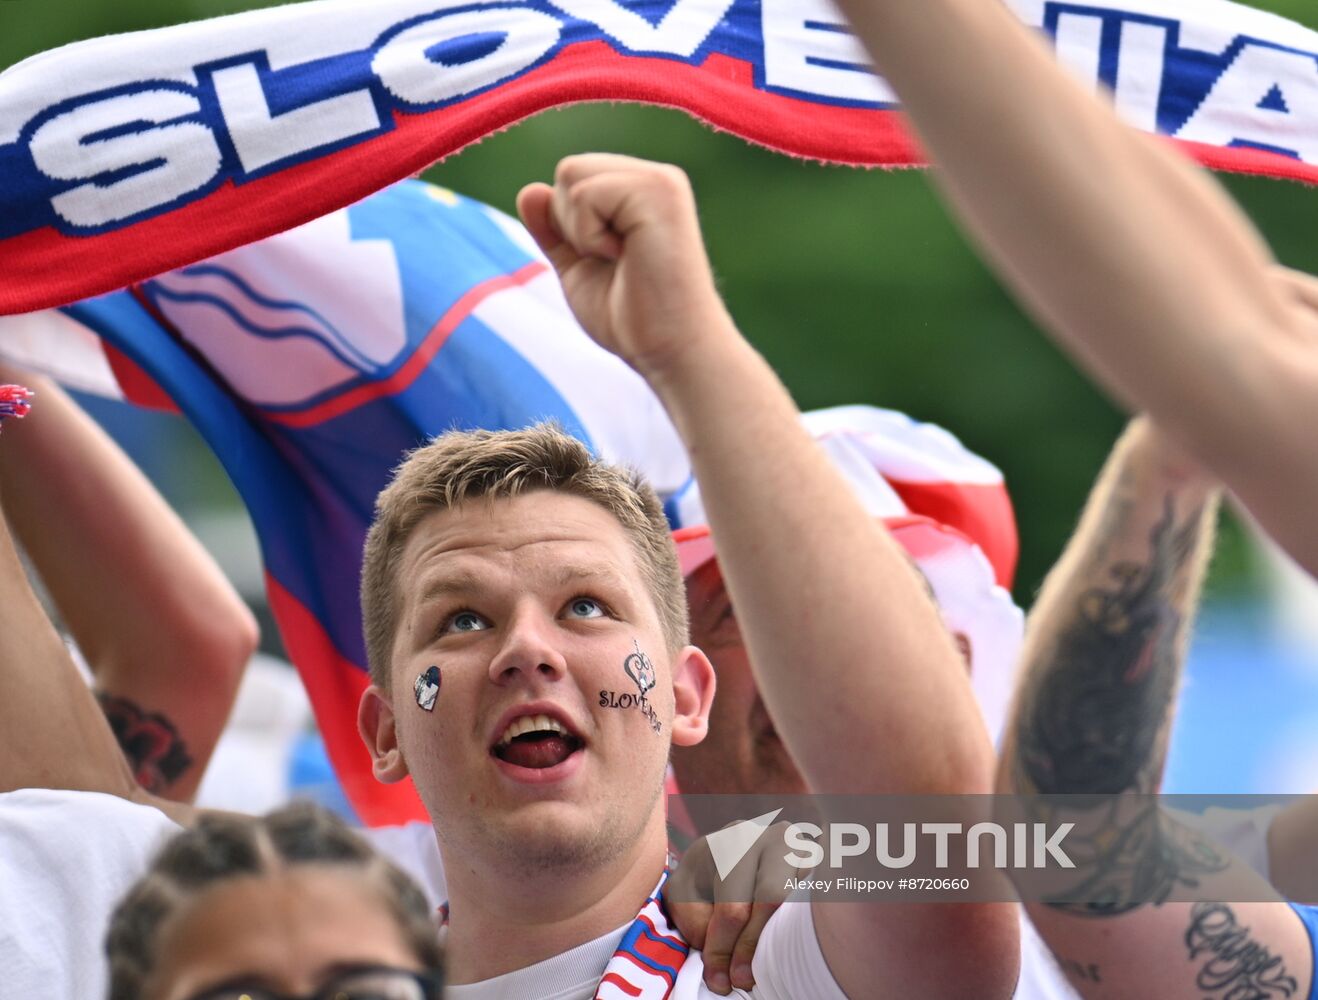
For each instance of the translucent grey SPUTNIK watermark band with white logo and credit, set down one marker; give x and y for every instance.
(1066, 850)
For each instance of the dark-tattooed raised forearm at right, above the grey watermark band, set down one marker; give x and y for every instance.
(1106, 638)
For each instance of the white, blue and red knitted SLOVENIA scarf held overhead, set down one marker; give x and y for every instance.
(130, 156)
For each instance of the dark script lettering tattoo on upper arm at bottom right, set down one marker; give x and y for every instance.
(1238, 968)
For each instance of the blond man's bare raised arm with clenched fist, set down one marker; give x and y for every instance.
(861, 679)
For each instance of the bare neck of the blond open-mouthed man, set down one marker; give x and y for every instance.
(503, 919)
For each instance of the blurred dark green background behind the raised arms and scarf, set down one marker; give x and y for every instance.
(855, 284)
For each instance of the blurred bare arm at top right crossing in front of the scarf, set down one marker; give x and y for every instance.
(1132, 258)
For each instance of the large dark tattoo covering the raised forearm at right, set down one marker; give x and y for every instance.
(1095, 723)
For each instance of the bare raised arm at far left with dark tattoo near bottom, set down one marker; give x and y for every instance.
(165, 634)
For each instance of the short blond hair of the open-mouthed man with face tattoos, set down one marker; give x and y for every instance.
(465, 466)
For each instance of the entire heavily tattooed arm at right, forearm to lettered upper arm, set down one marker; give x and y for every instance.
(1103, 662)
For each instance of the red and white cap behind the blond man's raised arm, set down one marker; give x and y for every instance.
(947, 507)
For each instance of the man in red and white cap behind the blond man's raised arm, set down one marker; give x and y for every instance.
(947, 508)
